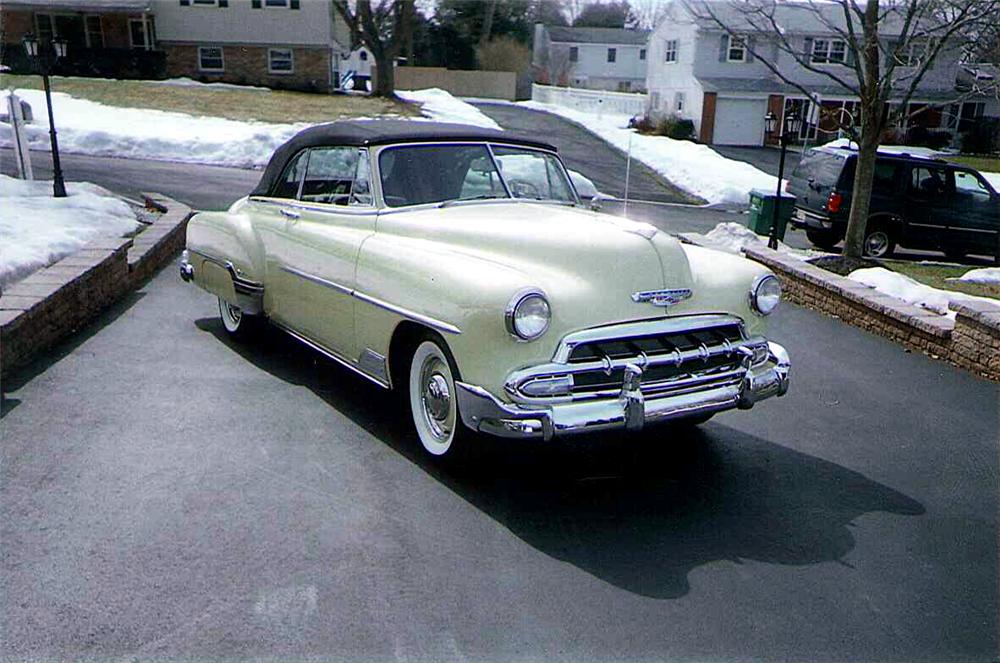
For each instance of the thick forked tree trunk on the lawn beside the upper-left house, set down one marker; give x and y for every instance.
(385, 27)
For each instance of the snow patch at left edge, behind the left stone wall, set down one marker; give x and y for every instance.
(38, 229)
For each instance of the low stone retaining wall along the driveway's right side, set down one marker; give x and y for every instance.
(971, 342)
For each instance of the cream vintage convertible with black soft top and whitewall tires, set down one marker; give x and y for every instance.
(458, 265)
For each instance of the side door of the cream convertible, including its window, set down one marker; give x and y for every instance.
(332, 217)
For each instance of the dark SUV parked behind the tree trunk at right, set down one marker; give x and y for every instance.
(917, 202)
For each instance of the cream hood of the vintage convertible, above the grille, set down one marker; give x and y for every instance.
(589, 264)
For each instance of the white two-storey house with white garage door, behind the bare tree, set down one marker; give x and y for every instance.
(700, 72)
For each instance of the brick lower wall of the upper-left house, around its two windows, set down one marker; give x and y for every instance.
(248, 65)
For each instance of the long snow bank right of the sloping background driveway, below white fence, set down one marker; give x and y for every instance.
(698, 169)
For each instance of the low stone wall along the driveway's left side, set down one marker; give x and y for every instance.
(52, 303)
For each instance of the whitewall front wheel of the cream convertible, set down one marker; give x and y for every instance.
(434, 403)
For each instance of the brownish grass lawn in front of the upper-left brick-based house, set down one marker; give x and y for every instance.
(231, 103)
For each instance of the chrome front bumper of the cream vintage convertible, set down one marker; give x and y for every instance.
(631, 410)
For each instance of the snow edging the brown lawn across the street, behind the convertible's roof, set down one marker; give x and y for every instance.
(88, 127)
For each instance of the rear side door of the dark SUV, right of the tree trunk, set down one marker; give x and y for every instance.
(928, 206)
